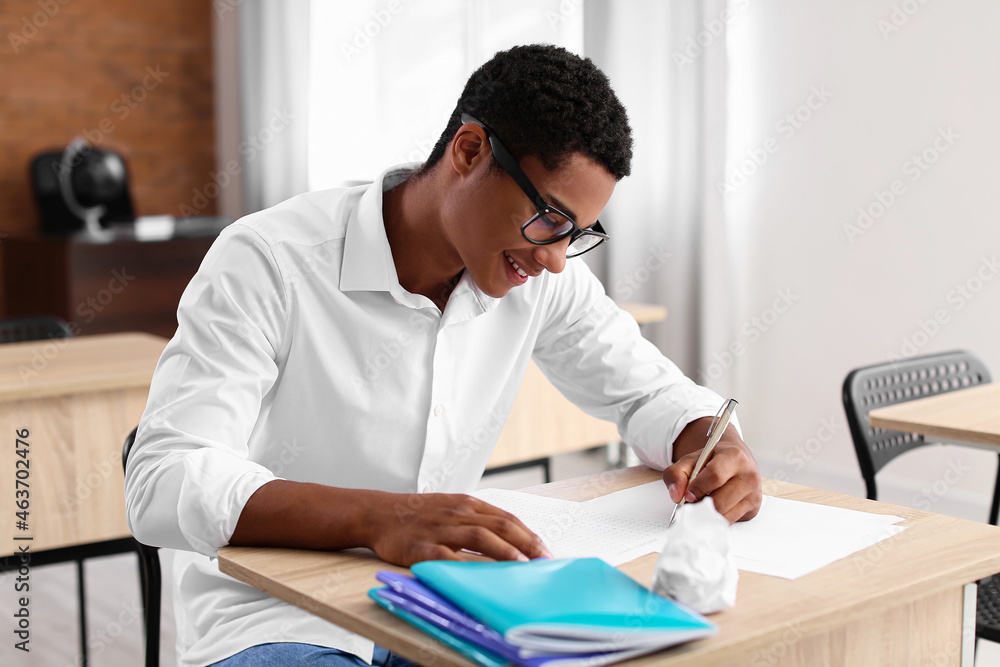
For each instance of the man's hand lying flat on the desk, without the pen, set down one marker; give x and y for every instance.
(436, 526)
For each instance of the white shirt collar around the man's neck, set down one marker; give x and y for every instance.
(368, 265)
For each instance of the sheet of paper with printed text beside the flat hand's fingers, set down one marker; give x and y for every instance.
(571, 530)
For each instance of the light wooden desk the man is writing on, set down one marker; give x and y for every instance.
(899, 602)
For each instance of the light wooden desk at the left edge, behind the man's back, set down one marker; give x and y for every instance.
(79, 398)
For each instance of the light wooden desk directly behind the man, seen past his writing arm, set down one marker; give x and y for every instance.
(544, 423)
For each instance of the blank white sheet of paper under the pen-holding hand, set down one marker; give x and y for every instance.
(787, 538)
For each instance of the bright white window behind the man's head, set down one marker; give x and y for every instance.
(385, 74)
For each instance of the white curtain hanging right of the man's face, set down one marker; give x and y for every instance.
(667, 62)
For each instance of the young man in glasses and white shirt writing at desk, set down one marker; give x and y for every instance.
(344, 362)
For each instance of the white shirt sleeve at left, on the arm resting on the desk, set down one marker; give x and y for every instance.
(189, 474)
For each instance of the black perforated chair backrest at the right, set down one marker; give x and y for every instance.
(896, 382)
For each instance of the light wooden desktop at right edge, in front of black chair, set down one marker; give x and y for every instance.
(967, 417)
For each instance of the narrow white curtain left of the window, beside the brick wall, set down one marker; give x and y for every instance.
(274, 91)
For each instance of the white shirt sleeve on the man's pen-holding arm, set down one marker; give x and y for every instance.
(592, 351)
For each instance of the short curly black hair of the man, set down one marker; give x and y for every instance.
(544, 101)
